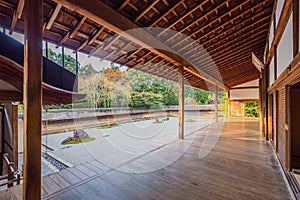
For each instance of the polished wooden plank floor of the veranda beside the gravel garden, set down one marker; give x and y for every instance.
(240, 166)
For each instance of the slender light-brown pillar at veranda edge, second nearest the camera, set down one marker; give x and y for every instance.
(181, 103)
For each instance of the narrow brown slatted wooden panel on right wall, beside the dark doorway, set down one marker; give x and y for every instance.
(281, 126)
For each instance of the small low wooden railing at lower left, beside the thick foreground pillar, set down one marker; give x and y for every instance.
(12, 174)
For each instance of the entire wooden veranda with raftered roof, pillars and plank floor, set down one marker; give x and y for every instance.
(210, 44)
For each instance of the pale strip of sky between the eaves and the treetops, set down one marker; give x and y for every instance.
(82, 58)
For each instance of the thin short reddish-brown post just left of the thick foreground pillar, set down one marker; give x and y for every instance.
(15, 135)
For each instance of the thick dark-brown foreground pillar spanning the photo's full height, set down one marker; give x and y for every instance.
(32, 99)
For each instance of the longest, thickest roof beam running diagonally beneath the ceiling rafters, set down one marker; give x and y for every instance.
(100, 13)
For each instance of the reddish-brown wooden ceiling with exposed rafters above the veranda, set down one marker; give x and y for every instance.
(228, 30)
